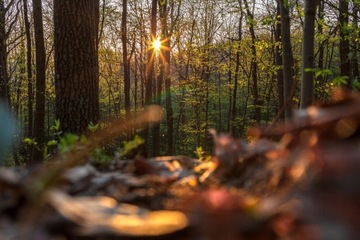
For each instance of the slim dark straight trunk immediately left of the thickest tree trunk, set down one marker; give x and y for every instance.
(39, 117)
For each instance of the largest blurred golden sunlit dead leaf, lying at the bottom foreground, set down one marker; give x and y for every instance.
(102, 215)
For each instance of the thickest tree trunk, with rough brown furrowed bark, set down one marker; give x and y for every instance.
(76, 63)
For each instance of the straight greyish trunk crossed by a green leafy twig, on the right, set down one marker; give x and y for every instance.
(307, 81)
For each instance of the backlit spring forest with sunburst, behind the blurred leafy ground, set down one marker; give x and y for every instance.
(225, 65)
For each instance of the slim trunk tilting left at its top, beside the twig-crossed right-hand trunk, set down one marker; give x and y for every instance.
(287, 59)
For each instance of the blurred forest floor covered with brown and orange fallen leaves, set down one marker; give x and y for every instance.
(295, 181)
